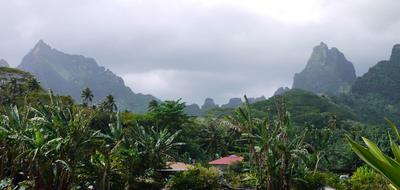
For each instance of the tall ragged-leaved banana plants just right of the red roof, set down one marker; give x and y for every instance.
(273, 156)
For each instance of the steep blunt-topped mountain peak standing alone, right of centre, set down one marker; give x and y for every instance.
(327, 71)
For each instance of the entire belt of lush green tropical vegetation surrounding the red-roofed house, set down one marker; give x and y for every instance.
(294, 141)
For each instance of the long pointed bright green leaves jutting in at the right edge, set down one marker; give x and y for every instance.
(374, 157)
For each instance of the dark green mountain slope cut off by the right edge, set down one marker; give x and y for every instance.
(383, 79)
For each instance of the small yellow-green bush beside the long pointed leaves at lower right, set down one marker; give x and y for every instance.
(366, 178)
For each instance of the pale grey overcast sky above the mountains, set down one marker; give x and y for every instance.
(195, 49)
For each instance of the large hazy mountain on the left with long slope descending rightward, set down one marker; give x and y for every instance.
(68, 74)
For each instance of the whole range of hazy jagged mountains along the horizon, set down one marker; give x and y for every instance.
(326, 72)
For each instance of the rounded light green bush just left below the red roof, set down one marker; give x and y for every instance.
(197, 177)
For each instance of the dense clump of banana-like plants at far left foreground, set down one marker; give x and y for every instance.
(50, 142)
